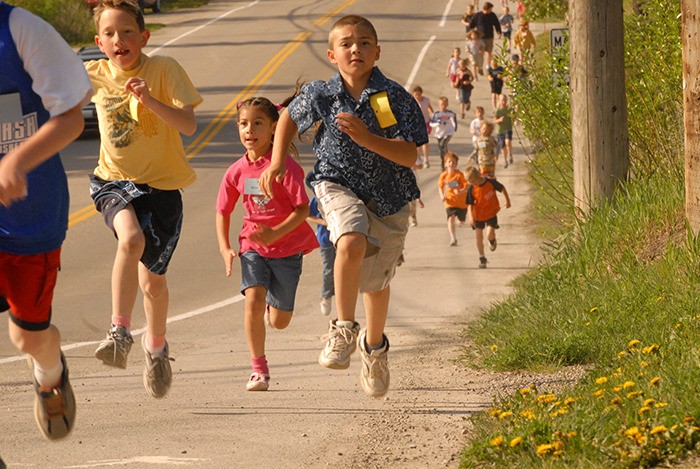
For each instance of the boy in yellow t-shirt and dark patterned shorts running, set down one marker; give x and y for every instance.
(143, 104)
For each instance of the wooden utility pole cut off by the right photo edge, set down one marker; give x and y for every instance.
(691, 109)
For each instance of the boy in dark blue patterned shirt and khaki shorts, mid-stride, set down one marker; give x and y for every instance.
(366, 144)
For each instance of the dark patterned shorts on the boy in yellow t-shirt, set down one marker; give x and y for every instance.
(159, 213)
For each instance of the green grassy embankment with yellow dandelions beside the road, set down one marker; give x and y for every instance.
(616, 293)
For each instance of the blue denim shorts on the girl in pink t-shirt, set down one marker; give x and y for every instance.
(279, 276)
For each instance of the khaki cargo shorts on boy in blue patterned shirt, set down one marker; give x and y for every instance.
(345, 213)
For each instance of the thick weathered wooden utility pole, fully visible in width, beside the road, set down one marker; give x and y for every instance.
(598, 102)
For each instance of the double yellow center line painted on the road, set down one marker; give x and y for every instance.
(227, 113)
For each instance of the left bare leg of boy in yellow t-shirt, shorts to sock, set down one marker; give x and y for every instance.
(130, 245)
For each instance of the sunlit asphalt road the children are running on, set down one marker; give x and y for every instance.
(311, 417)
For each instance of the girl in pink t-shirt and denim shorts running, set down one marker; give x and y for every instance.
(274, 236)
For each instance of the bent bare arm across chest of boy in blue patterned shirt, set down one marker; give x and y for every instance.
(396, 150)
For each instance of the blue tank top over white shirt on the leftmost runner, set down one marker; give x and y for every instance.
(38, 223)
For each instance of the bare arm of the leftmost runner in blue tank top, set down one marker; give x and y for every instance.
(51, 137)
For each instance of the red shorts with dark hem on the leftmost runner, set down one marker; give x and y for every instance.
(27, 282)
